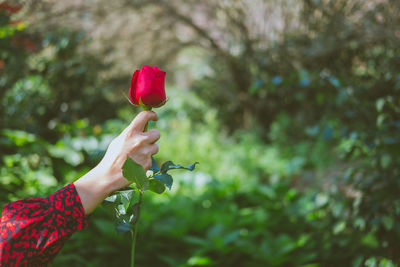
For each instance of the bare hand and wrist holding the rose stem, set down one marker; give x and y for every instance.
(107, 176)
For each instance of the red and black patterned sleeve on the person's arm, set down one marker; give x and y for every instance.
(33, 230)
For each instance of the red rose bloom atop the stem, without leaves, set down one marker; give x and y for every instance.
(147, 87)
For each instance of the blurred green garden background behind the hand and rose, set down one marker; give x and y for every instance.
(291, 107)
